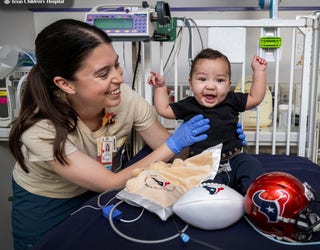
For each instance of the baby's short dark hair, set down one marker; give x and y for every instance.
(209, 53)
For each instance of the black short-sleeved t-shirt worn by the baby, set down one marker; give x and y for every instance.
(223, 121)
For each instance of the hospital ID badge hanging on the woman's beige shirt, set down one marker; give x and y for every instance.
(106, 147)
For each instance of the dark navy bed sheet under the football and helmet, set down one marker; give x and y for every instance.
(88, 229)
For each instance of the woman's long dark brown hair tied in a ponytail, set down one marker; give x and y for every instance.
(61, 48)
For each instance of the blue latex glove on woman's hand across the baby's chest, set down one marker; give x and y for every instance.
(188, 133)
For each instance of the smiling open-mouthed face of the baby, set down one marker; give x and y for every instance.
(210, 81)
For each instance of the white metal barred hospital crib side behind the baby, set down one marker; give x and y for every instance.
(292, 76)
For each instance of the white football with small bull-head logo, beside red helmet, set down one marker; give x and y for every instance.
(210, 206)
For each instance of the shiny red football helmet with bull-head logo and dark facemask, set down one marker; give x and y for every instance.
(280, 205)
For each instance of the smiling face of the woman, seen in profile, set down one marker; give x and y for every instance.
(99, 78)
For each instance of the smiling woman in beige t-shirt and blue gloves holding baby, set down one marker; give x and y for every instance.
(73, 102)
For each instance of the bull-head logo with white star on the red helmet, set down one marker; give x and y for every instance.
(271, 208)
